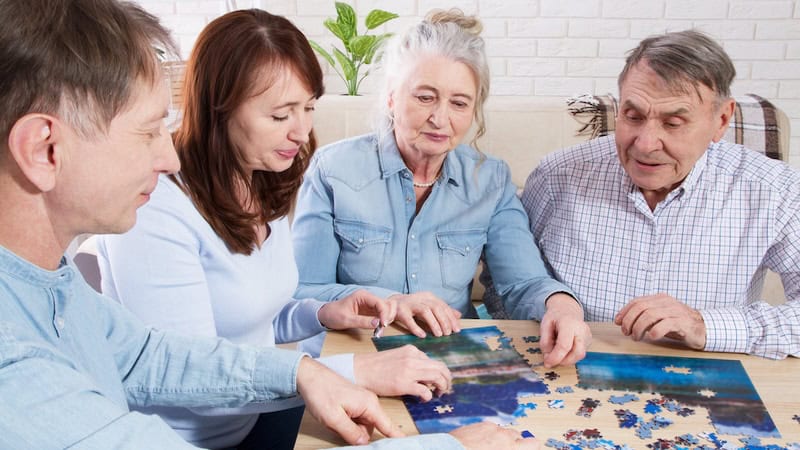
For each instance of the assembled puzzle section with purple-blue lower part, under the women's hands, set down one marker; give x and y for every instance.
(489, 378)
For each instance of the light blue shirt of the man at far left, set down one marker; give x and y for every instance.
(72, 361)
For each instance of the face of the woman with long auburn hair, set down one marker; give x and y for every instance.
(268, 129)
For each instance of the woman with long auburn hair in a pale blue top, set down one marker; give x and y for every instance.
(211, 254)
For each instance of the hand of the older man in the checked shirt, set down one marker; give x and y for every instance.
(661, 315)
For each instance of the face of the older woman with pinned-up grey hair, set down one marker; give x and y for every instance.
(433, 106)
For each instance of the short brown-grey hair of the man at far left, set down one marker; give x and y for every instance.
(83, 67)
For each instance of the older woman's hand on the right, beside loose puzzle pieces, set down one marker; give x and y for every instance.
(565, 336)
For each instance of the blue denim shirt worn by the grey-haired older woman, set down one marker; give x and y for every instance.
(356, 226)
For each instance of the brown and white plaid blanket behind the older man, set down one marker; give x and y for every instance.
(754, 123)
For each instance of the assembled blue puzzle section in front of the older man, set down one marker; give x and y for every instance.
(721, 386)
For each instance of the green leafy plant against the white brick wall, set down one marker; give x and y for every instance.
(359, 49)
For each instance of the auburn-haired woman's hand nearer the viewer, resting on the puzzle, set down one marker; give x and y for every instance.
(402, 371)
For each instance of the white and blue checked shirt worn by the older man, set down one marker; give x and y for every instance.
(708, 243)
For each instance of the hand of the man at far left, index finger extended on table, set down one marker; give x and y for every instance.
(351, 411)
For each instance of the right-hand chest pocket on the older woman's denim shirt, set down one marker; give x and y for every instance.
(459, 252)
